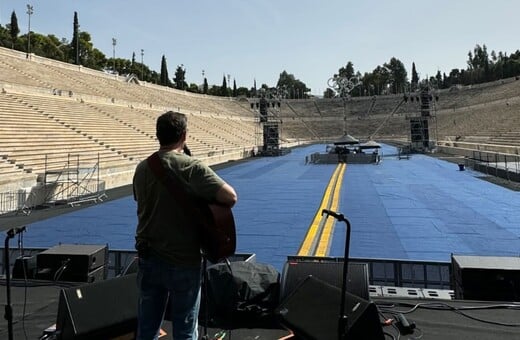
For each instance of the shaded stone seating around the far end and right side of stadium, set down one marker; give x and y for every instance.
(487, 112)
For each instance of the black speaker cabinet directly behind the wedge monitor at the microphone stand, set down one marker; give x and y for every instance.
(329, 271)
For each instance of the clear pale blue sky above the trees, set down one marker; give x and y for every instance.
(258, 39)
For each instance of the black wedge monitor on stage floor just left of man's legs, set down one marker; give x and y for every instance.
(101, 310)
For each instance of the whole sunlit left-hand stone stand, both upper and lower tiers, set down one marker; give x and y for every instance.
(51, 112)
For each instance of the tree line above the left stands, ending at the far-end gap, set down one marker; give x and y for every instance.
(81, 51)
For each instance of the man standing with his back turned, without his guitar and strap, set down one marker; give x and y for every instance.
(167, 240)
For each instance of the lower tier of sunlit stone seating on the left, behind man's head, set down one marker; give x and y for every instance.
(39, 132)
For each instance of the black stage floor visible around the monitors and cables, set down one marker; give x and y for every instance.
(42, 305)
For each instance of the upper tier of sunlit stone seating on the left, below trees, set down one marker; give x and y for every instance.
(17, 69)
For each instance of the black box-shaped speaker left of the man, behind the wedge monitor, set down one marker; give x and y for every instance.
(73, 263)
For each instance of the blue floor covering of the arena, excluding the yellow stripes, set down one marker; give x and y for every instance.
(417, 209)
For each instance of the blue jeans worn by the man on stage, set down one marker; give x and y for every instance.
(158, 280)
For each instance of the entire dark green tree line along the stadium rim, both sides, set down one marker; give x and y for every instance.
(389, 78)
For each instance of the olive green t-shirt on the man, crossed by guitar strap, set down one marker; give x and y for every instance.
(162, 222)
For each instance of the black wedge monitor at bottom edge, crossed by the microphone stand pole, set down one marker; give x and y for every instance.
(312, 311)
